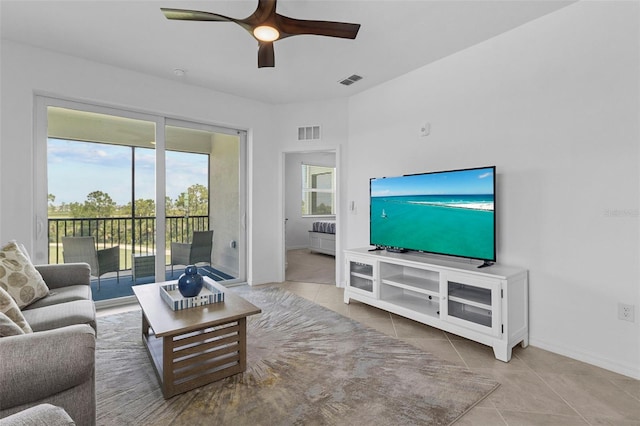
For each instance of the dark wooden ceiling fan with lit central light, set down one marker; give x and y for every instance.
(268, 26)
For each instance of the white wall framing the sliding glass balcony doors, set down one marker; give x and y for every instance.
(27, 71)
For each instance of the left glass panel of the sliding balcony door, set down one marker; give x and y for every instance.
(101, 184)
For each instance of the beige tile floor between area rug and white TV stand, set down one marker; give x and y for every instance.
(537, 386)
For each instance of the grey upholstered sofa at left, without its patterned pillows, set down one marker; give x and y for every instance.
(55, 363)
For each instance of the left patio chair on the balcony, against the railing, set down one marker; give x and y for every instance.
(83, 249)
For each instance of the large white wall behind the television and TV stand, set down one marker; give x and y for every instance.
(554, 105)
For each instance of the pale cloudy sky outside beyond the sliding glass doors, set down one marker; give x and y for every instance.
(76, 169)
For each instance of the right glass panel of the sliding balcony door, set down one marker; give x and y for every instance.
(204, 192)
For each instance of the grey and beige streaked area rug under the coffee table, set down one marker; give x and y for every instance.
(306, 365)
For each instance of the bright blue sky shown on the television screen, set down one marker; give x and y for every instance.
(477, 181)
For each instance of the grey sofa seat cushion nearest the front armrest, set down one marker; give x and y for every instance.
(61, 315)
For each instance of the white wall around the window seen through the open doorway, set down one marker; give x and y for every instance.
(298, 227)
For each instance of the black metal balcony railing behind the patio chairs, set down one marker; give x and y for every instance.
(134, 236)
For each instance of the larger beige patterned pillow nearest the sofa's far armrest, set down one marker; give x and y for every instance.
(19, 277)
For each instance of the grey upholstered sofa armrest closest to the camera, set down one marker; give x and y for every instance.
(38, 365)
